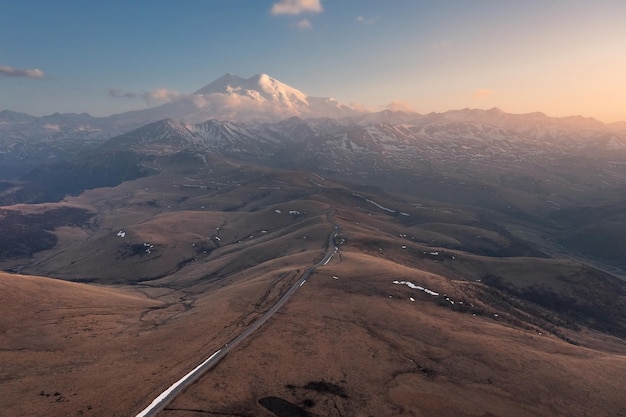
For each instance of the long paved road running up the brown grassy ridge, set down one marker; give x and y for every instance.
(169, 394)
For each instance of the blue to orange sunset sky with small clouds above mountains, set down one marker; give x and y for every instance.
(560, 57)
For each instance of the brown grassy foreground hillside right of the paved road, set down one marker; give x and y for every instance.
(392, 356)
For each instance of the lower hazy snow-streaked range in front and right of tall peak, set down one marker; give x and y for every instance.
(466, 142)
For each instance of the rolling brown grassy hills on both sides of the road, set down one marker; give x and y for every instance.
(205, 251)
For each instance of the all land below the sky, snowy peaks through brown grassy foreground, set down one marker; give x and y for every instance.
(335, 262)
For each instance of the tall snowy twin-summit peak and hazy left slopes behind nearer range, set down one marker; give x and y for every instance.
(260, 98)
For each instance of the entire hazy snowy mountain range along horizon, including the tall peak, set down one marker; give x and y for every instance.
(261, 119)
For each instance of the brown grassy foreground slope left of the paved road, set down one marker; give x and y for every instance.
(79, 349)
